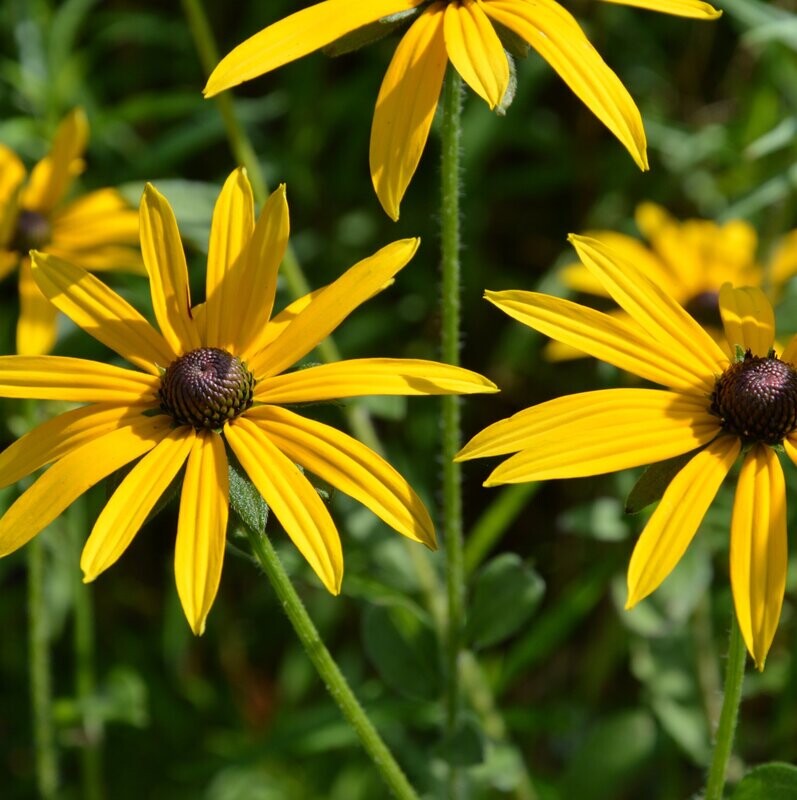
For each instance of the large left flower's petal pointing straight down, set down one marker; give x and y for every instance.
(202, 528)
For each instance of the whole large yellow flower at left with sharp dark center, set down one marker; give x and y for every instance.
(213, 378)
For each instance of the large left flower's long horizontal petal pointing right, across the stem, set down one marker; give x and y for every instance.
(370, 376)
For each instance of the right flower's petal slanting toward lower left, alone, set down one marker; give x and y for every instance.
(678, 516)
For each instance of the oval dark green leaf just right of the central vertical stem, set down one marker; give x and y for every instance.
(506, 593)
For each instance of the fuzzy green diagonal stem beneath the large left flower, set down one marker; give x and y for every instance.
(328, 670)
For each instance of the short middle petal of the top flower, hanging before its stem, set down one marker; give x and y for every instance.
(476, 51)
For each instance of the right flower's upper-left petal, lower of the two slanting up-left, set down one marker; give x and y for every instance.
(600, 336)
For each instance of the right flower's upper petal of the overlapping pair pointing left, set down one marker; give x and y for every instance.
(579, 413)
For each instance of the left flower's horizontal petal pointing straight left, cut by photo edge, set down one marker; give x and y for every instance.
(74, 379)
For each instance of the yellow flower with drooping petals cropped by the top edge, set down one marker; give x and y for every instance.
(472, 35)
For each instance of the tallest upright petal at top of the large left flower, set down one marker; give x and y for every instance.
(230, 232)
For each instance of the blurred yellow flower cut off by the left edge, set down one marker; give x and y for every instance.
(96, 229)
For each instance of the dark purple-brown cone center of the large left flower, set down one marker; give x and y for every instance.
(206, 387)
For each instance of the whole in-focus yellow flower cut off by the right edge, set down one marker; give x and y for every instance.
(714, 408)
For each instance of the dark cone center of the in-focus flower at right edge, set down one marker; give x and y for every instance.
(756, 399)
